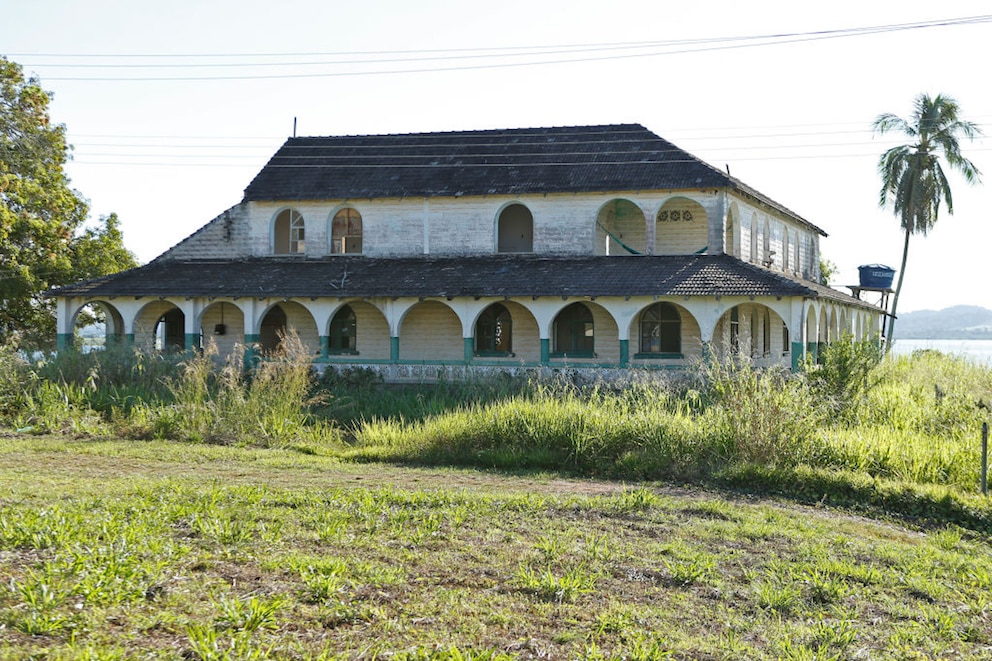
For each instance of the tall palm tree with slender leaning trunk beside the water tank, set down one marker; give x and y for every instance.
(912, 176)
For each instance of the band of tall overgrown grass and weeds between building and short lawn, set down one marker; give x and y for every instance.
(911, 419)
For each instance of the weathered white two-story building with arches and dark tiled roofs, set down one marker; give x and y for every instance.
(584, 247)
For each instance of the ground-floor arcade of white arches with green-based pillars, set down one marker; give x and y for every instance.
(578, 332)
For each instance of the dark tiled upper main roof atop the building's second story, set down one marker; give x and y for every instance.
(575, 159)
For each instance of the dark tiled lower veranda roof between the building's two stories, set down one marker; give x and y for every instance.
(484, 275)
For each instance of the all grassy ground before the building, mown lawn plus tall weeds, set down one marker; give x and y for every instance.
(235, 530)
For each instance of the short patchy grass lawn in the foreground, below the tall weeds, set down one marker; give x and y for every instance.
(132, 549)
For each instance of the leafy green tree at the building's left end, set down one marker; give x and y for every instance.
(42, 240)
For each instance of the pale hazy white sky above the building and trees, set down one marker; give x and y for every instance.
(174, 107)
